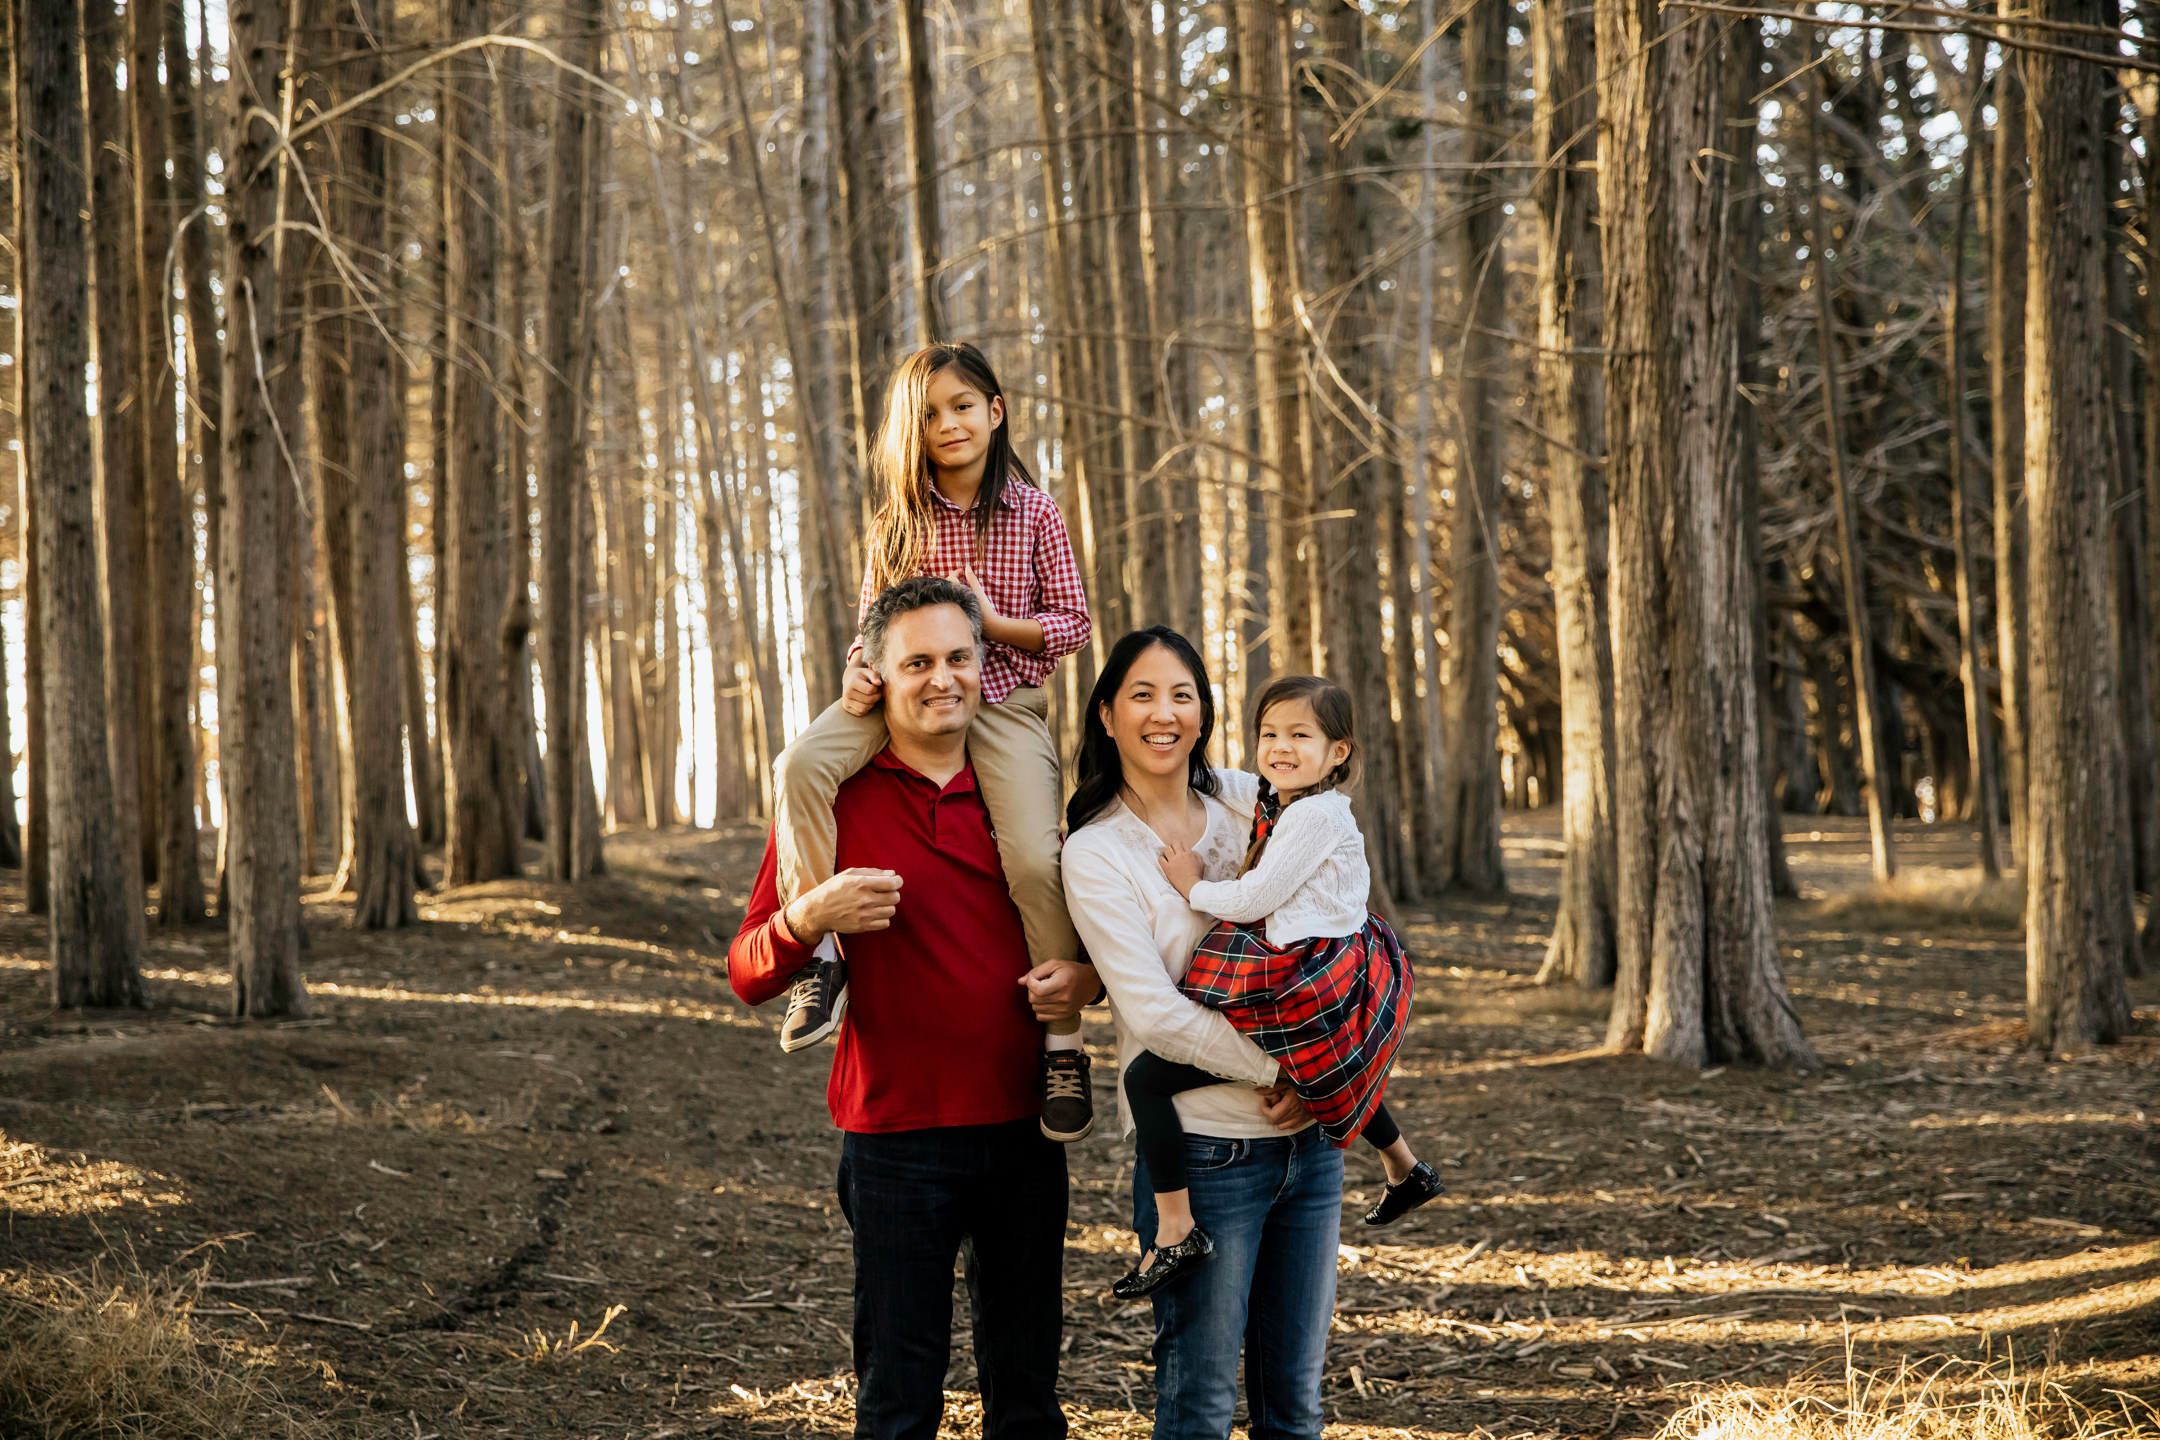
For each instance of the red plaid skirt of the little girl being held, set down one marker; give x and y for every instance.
(1332, 1011)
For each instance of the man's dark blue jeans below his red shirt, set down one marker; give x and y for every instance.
(917, 1199)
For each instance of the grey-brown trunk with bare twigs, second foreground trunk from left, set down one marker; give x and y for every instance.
(256, 722)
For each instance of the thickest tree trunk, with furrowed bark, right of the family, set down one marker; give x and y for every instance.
(1697, 938)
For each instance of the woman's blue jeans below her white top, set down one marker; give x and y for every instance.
(1275, 1214)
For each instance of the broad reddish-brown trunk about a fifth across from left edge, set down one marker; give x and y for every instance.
(487, 811)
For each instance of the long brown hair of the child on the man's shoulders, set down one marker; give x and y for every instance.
(906, 521)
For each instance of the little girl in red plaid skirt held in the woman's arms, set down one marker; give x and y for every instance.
(1297, 964)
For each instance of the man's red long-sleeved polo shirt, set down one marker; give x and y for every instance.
(939, 1027)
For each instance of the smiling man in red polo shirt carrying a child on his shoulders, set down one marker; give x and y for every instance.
(936, 1081)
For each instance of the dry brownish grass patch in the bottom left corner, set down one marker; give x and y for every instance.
(120, 1359)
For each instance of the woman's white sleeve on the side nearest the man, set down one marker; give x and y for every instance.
(1124, 951)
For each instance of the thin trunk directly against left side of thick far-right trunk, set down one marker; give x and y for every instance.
(2008, 223)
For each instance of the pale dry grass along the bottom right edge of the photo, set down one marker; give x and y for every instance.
(1956, 1400)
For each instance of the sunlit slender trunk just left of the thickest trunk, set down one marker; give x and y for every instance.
(1571, 409)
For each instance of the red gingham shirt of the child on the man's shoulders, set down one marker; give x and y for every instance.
(1029, 573)
